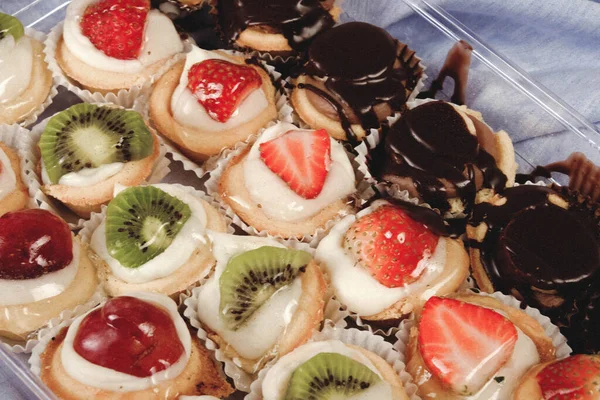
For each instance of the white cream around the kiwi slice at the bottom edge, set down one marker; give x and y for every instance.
(276, 381)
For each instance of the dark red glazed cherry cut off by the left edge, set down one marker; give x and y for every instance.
(33, 243)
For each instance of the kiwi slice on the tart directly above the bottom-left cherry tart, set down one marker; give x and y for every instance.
(141, 222)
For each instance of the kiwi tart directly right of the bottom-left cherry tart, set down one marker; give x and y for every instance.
(262, 301)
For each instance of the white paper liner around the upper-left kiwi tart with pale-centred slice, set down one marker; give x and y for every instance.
(31, 156)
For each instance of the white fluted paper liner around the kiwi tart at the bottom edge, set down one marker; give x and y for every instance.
(365, 340)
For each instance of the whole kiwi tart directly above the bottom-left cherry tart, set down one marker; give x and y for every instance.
(153, 239)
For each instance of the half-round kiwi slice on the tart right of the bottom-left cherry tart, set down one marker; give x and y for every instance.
(251, 278)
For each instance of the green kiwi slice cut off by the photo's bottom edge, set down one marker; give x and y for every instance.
(329, 376)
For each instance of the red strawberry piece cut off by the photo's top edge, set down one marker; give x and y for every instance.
(116, 27)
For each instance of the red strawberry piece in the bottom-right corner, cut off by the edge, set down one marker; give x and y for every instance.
(573, 378)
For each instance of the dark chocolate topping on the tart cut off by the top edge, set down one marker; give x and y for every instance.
(298, 20)
